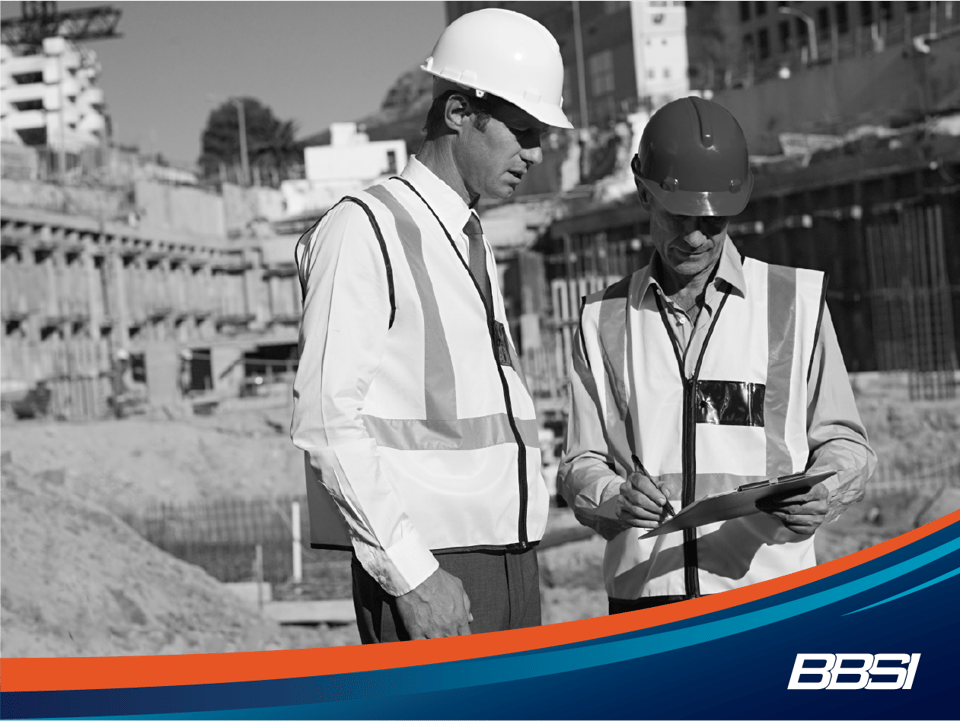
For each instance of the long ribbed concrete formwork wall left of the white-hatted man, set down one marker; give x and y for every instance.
(74, 291)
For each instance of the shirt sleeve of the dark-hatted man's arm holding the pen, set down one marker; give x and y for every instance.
(585, 477)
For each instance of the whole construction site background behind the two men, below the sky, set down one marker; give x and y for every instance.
(152, 500)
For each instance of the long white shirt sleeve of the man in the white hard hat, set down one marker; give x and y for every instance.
(343, 335)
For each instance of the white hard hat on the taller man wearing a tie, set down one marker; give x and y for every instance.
(507, 54)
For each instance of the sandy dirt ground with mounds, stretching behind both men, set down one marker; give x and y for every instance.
(78, 581)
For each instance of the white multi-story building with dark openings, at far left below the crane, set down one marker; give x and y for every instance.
(51, 98)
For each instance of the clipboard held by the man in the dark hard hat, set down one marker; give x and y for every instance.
(735, 504)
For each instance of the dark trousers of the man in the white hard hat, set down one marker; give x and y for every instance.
(503, 588)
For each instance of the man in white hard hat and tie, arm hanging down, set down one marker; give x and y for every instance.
(419, 434)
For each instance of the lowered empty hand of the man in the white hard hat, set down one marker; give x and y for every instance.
(437, 607)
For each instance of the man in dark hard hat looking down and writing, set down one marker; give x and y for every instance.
(700, 373)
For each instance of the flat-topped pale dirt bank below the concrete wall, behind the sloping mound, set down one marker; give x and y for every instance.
(130, 464)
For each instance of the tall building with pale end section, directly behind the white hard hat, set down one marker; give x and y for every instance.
(618, 55)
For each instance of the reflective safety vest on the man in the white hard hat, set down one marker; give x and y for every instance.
(454, 423)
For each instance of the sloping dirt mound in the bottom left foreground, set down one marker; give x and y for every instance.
(77, 581)
